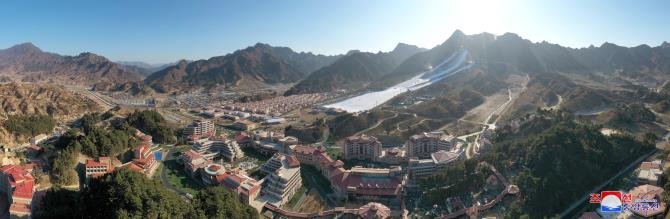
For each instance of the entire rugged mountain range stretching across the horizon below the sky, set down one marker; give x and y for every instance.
(262, 65)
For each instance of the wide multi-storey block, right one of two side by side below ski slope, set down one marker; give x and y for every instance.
(422, 145)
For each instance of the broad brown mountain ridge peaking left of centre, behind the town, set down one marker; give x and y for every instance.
(253, 67)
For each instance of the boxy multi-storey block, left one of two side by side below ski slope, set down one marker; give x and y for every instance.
(362, 147)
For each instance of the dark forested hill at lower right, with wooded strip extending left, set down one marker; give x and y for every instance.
(538, 157)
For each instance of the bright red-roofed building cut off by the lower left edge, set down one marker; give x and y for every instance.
(18, 183)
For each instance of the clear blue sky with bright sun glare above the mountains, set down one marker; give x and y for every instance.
(168, 30)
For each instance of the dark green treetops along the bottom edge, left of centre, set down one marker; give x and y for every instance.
(127, 194)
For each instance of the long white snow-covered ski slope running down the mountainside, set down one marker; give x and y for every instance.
(452, 65)
